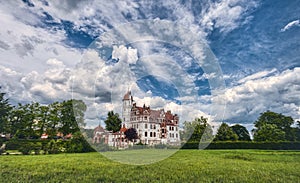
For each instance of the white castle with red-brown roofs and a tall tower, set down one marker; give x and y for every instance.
(152, 126)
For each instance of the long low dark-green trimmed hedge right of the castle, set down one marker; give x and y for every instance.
(245, 145)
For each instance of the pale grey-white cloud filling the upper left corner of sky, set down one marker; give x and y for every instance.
(29, 46)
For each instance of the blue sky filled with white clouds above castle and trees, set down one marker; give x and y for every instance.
(229, 60)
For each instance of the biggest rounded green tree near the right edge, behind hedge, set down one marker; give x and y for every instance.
(278, 123)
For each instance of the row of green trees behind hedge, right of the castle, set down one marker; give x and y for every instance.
(269, 127)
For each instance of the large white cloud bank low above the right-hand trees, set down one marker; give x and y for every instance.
(278, 92)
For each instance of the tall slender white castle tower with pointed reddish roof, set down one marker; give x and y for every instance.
(127, 105)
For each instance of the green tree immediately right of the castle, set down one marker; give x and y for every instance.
(197, 130)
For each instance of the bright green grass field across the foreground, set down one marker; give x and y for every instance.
(183, 166)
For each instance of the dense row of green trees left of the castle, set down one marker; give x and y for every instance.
(31, 121)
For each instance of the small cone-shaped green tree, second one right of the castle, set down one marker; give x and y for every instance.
(225, 133)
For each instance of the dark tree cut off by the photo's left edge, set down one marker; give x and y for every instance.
(5, 109)
